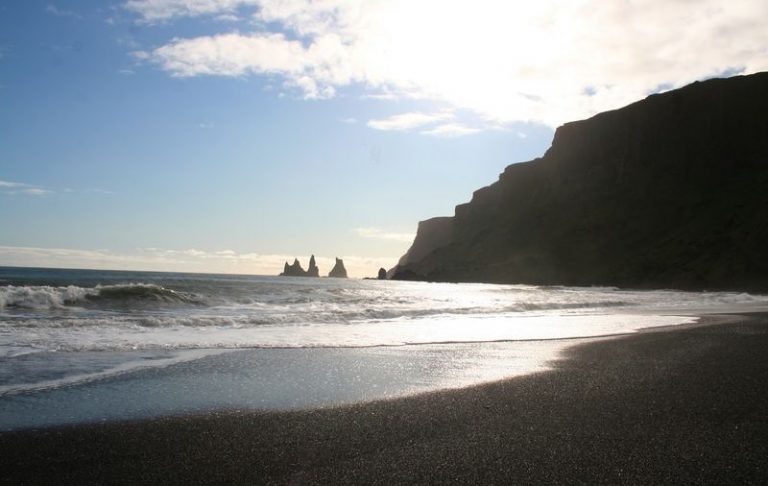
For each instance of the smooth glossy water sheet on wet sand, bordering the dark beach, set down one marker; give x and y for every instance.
(276, 379)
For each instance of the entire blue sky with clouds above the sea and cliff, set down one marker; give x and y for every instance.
(232, 135)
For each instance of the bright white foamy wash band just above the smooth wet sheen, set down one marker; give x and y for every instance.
(393, 332)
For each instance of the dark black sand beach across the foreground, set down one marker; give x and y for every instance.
(678, 407)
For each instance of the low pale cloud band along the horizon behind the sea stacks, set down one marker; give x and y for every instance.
(187, 260)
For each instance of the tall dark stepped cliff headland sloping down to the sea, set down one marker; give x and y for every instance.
(668, 192)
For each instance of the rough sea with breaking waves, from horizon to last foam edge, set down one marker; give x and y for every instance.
(103, 323)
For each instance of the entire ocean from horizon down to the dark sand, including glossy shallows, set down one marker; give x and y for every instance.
(86, 345)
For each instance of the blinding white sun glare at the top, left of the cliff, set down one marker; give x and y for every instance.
(467, 56)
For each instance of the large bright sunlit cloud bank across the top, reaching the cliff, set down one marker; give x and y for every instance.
(547, 61)
